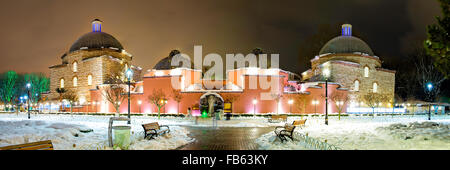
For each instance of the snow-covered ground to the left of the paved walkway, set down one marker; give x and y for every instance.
(69, 132)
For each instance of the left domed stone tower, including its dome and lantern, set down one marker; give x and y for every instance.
(87, 63)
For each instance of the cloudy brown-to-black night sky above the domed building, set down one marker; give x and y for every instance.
(35, 33)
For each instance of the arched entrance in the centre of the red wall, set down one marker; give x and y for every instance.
(210, 103)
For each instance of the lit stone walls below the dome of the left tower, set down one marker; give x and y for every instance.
(97, 63)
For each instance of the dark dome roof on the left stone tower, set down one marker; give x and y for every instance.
(96, 40)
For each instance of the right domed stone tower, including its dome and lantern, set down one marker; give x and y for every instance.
(353, 64)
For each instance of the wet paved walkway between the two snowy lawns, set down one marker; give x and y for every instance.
(225, 138)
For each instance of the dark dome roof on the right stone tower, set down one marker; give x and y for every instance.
(346, 44)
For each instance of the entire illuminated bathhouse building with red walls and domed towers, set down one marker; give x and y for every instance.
(354, 69)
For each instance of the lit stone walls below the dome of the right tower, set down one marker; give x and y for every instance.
(345, 69)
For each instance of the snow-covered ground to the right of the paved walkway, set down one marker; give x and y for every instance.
(367, 133)
